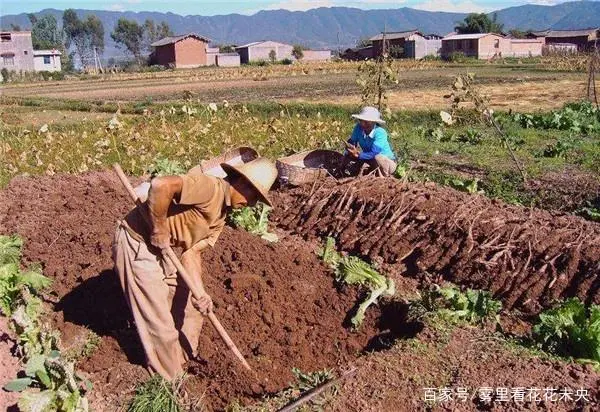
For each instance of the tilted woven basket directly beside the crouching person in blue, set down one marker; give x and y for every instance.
(306, 167)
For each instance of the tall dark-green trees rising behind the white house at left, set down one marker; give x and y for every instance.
(79, 40)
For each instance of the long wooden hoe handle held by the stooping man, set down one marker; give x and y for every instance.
(169, 255)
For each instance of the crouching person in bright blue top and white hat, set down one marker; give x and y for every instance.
(370, 136)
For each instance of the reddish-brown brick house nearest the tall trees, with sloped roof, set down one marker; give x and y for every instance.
(181, 52)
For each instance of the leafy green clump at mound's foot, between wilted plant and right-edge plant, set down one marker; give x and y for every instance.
(471, 305)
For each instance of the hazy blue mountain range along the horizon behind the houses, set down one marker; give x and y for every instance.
(332, 27)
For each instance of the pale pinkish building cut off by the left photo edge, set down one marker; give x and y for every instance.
(16, 51)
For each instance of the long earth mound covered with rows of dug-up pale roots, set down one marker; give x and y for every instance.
(526, 257)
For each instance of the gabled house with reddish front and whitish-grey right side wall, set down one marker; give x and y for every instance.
(414, 45)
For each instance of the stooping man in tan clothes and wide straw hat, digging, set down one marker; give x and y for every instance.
(186, 211)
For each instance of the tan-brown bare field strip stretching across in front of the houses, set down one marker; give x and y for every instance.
(416, 89)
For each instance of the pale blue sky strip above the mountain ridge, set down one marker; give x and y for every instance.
(212, 7)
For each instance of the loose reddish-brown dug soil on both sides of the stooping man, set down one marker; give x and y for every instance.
(278, 302)
